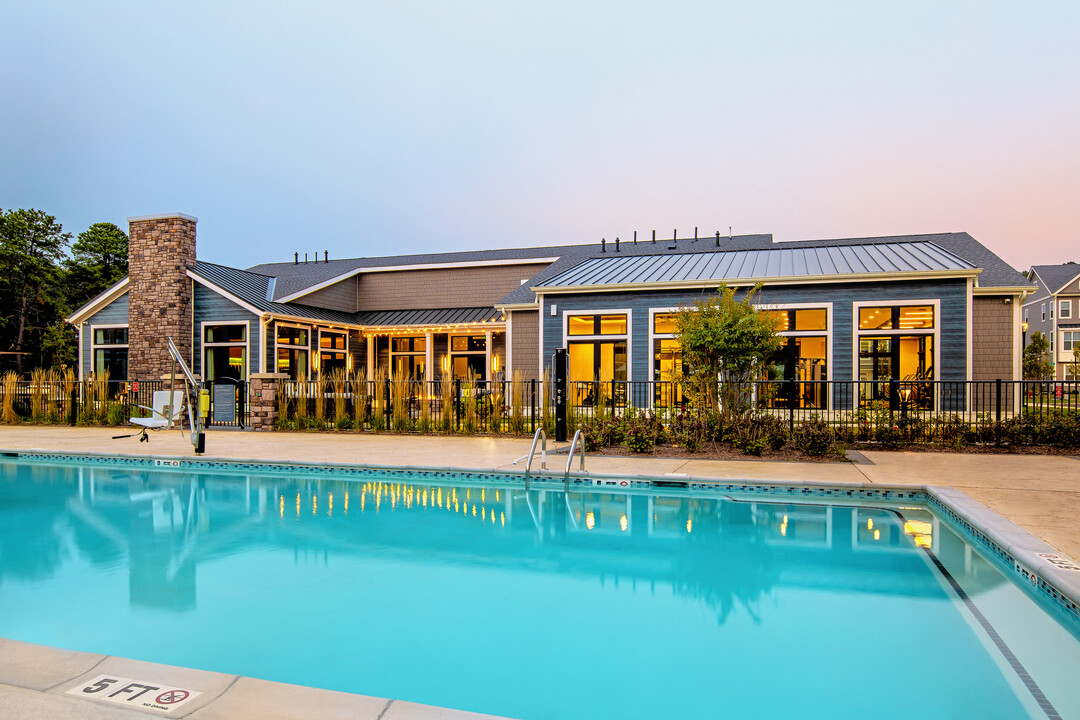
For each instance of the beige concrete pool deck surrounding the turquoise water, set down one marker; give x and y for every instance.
(1041, 494)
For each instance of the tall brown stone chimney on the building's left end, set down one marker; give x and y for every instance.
(160, 251)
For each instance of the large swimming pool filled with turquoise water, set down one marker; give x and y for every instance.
(465, 591)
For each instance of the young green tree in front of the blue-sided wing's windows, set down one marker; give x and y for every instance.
(726, 344)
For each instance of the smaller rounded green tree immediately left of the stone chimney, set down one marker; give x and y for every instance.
(99, 261)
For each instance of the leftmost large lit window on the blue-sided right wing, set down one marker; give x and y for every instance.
(598, 352)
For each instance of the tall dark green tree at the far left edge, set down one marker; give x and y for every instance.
(32, 247)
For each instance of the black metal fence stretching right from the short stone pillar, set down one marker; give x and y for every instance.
(857, 410)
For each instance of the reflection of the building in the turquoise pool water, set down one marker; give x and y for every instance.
(724, 552)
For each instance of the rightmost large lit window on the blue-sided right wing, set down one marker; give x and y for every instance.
(897, 355)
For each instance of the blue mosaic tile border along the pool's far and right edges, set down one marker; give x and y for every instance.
(1002, 538)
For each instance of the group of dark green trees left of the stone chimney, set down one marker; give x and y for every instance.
(45, 277)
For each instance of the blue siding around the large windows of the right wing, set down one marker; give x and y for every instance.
(952, 295)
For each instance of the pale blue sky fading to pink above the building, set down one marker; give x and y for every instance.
(363, 129)
